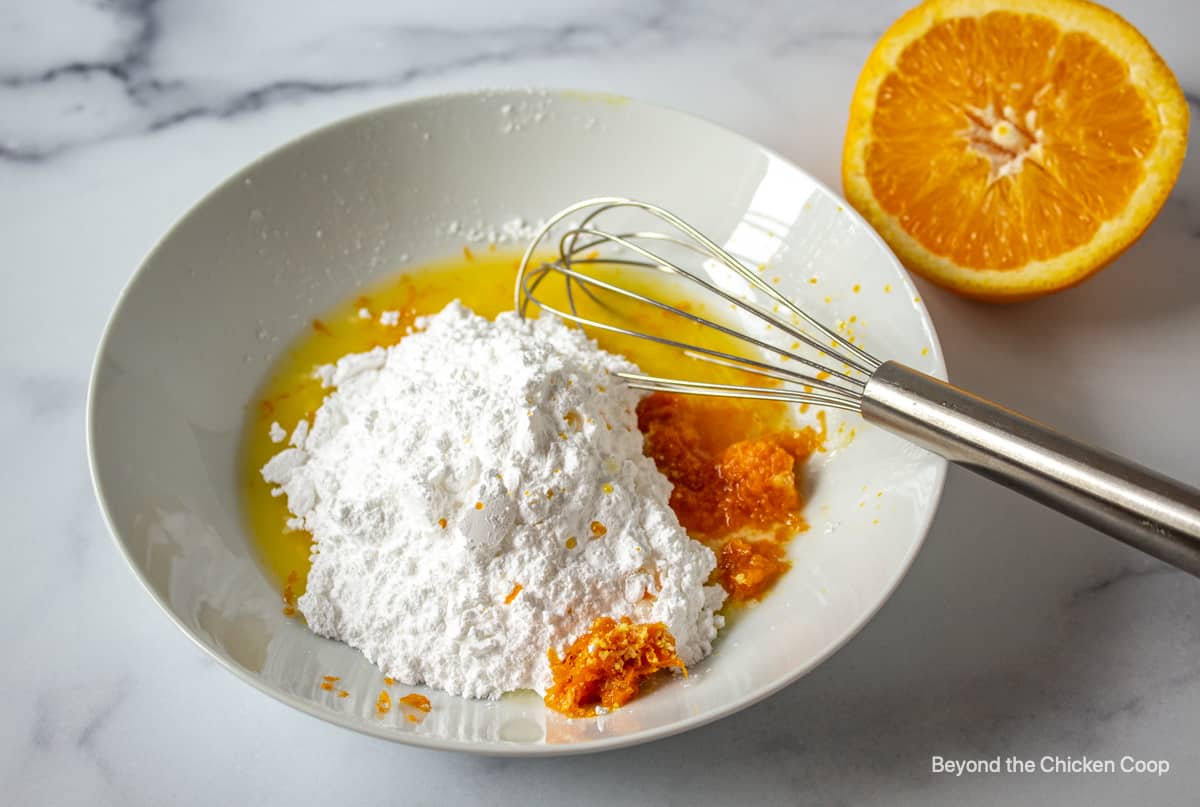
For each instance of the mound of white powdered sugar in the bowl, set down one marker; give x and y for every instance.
(526, 420)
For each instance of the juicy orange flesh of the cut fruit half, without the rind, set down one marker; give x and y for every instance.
(1003, 140)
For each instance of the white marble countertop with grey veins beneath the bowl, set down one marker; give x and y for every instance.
(1017, 632)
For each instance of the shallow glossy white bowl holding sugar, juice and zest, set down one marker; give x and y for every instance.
(244, 273)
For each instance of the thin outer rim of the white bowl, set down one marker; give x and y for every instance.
(501, 749)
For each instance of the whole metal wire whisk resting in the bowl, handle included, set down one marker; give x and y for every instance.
(1141, 507)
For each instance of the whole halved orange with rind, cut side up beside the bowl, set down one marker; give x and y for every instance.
(1007, 150)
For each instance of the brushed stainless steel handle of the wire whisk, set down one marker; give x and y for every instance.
(1136, 505)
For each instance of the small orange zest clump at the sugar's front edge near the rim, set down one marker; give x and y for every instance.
(607, 666)
